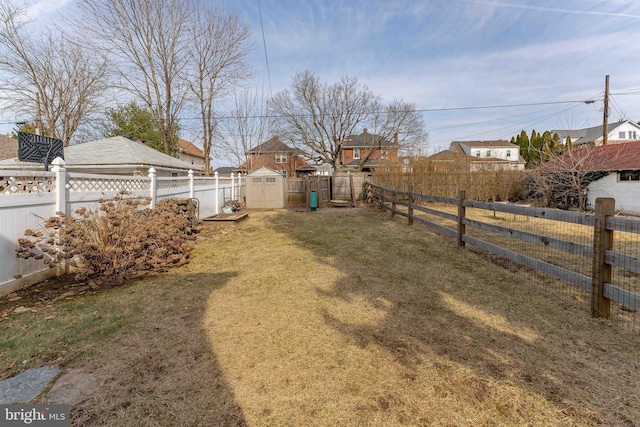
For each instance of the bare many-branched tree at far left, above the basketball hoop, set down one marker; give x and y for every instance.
(47, 77)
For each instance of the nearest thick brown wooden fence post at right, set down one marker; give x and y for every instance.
(601, 272)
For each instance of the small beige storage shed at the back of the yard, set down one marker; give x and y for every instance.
(266, 189)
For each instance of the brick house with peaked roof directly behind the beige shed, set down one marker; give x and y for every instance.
(274, 154)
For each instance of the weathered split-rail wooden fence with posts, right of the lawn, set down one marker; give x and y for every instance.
(600, 254)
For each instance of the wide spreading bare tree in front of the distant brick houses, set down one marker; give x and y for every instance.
(318, 117)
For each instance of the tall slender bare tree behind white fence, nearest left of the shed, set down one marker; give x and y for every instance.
(218, 63)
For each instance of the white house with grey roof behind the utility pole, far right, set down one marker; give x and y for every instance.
(618, 132)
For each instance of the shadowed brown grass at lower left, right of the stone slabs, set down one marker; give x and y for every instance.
(160, 370)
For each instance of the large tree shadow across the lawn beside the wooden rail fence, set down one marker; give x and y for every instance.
(459, 310)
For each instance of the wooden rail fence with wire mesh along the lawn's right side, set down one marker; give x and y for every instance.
(599, 250)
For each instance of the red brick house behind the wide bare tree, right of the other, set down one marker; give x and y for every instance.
(366, 151)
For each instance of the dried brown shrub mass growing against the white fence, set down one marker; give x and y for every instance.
(119, 240)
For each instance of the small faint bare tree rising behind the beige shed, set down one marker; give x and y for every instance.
(247, 125)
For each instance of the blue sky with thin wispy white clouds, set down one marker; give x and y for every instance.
(477, 69)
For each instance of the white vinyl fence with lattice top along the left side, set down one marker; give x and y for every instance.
(29, 197)
